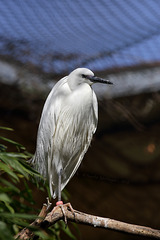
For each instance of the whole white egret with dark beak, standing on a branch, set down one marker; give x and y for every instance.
(68, 122)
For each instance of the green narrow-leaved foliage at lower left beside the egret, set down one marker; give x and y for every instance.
(16, 198)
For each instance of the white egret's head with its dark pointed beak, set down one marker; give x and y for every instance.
(84, 75)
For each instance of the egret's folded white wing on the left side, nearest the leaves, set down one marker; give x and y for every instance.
(46, 129)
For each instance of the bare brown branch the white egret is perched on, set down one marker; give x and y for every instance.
(78, 217)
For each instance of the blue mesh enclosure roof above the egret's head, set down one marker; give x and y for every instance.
(61, 35)
